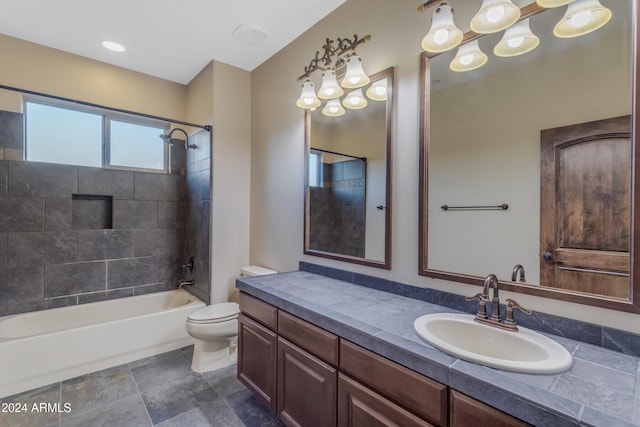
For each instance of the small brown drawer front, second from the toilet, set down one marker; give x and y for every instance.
(313, 339)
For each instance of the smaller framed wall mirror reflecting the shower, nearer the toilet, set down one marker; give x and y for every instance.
(348, 174)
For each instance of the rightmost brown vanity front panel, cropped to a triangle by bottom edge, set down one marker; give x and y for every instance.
(466, 411)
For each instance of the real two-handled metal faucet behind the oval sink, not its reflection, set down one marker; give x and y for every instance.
(509, 323)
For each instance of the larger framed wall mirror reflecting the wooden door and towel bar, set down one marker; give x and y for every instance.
(531, 160)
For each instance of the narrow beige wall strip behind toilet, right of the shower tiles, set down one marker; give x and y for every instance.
(230, 201)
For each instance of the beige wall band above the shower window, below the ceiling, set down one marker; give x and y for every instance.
(34, 67)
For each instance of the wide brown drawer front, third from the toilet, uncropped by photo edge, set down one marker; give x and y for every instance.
(418, 394)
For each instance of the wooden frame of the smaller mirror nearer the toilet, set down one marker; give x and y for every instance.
(386, 263)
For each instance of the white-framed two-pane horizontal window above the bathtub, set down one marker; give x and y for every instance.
(58, 132)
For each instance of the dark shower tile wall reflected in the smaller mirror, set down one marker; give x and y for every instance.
(337, 209)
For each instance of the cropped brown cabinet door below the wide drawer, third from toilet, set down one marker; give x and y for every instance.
(359, 406)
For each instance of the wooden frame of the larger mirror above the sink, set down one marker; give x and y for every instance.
(633, 304)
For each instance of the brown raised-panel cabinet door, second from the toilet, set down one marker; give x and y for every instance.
(306, 388)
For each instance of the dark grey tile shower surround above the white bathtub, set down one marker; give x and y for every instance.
(51, 252)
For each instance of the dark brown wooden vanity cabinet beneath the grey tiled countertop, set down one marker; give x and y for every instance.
(311, 377)
